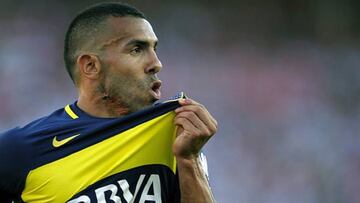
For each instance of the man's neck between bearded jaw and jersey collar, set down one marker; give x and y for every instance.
(96, 105)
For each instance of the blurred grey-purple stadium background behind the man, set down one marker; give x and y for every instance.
(282, 78)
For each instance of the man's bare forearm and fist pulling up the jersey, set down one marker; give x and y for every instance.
(195, 127)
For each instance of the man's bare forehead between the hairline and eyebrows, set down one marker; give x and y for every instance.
(123, 29)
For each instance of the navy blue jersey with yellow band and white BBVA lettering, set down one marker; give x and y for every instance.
(72, 157)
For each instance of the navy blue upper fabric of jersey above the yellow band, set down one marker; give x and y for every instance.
(29, 147)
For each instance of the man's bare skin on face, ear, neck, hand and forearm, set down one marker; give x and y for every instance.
(115, 79)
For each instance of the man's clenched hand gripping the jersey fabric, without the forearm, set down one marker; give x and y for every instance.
(195, 126)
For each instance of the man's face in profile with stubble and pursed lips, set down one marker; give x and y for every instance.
(130, 64)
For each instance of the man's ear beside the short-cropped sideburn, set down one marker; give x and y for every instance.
(89, 66)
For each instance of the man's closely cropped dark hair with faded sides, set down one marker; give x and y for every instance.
(87, 23)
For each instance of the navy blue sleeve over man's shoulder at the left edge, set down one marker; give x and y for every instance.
(18, 151)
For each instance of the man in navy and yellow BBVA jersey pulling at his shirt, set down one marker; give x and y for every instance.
(112, 144)
